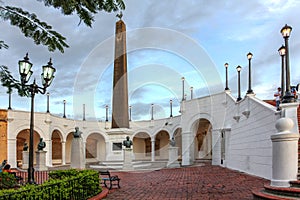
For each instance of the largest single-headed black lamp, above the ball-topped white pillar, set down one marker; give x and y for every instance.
(288, 96)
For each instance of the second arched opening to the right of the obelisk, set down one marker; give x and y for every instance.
(162, 140)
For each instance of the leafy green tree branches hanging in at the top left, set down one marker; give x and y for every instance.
(42, 33)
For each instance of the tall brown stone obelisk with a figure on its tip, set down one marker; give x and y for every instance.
(120, 117)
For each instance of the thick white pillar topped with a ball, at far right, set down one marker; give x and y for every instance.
(285, 154)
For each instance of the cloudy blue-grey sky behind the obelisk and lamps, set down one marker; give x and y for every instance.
(166, 40)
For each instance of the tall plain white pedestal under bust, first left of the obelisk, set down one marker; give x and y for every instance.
(77, 154)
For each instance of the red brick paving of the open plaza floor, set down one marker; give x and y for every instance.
(197, 182)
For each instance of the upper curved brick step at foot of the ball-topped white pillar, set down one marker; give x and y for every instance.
(285, 191)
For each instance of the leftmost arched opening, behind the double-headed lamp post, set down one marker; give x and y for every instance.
(22, 137)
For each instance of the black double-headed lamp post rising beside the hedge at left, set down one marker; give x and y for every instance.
(47, 77)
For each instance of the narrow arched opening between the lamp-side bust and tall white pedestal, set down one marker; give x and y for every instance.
(56, 147)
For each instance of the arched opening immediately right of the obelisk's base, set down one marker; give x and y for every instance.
(142, 146)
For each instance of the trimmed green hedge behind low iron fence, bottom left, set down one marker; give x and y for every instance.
(63, 184)
